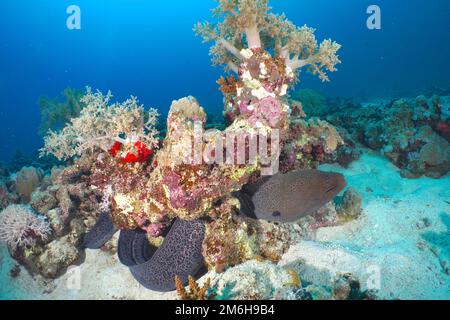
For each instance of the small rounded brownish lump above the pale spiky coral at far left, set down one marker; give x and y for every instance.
(26, 181)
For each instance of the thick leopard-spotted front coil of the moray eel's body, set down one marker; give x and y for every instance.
(179, 255)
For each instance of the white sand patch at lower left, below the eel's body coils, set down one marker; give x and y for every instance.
(101, 276)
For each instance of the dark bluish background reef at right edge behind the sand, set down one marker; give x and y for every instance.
(410, 132)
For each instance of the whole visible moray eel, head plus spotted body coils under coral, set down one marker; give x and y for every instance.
(282, 197)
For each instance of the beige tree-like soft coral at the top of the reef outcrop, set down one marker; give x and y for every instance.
(248, 24)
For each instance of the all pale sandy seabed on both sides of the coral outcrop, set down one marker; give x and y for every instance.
(400, 246)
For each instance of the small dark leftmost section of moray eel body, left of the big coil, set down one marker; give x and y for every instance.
(101, 233)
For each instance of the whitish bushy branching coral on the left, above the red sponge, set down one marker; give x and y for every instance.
(100, 125)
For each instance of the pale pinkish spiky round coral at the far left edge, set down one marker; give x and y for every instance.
(21, 228)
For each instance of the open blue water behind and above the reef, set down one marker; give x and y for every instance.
(147, 48)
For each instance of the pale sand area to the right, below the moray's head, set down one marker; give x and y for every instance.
(382, 247)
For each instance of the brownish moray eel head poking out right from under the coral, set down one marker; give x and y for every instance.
(288, 197)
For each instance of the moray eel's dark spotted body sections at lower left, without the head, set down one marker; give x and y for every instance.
(155, 268)
